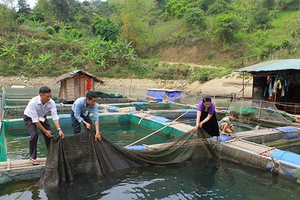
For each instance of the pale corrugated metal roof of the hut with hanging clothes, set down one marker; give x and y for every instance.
(273, 65)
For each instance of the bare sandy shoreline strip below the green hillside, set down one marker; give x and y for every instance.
(232, 84)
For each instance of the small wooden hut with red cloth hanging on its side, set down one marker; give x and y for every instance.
(75, 84)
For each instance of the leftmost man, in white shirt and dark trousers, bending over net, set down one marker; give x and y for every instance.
(35, 118)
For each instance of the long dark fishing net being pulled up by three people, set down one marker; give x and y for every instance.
(81, 154)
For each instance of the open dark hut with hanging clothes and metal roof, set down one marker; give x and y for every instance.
(277, 81)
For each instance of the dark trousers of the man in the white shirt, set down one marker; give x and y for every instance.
(32, 129)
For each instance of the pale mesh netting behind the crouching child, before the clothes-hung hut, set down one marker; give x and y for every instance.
(258, 111)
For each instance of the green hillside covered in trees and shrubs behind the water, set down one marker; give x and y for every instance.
(131, 38)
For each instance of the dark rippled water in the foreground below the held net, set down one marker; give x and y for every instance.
(195, 179)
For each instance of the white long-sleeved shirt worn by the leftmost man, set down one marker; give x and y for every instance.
(36, 109)
